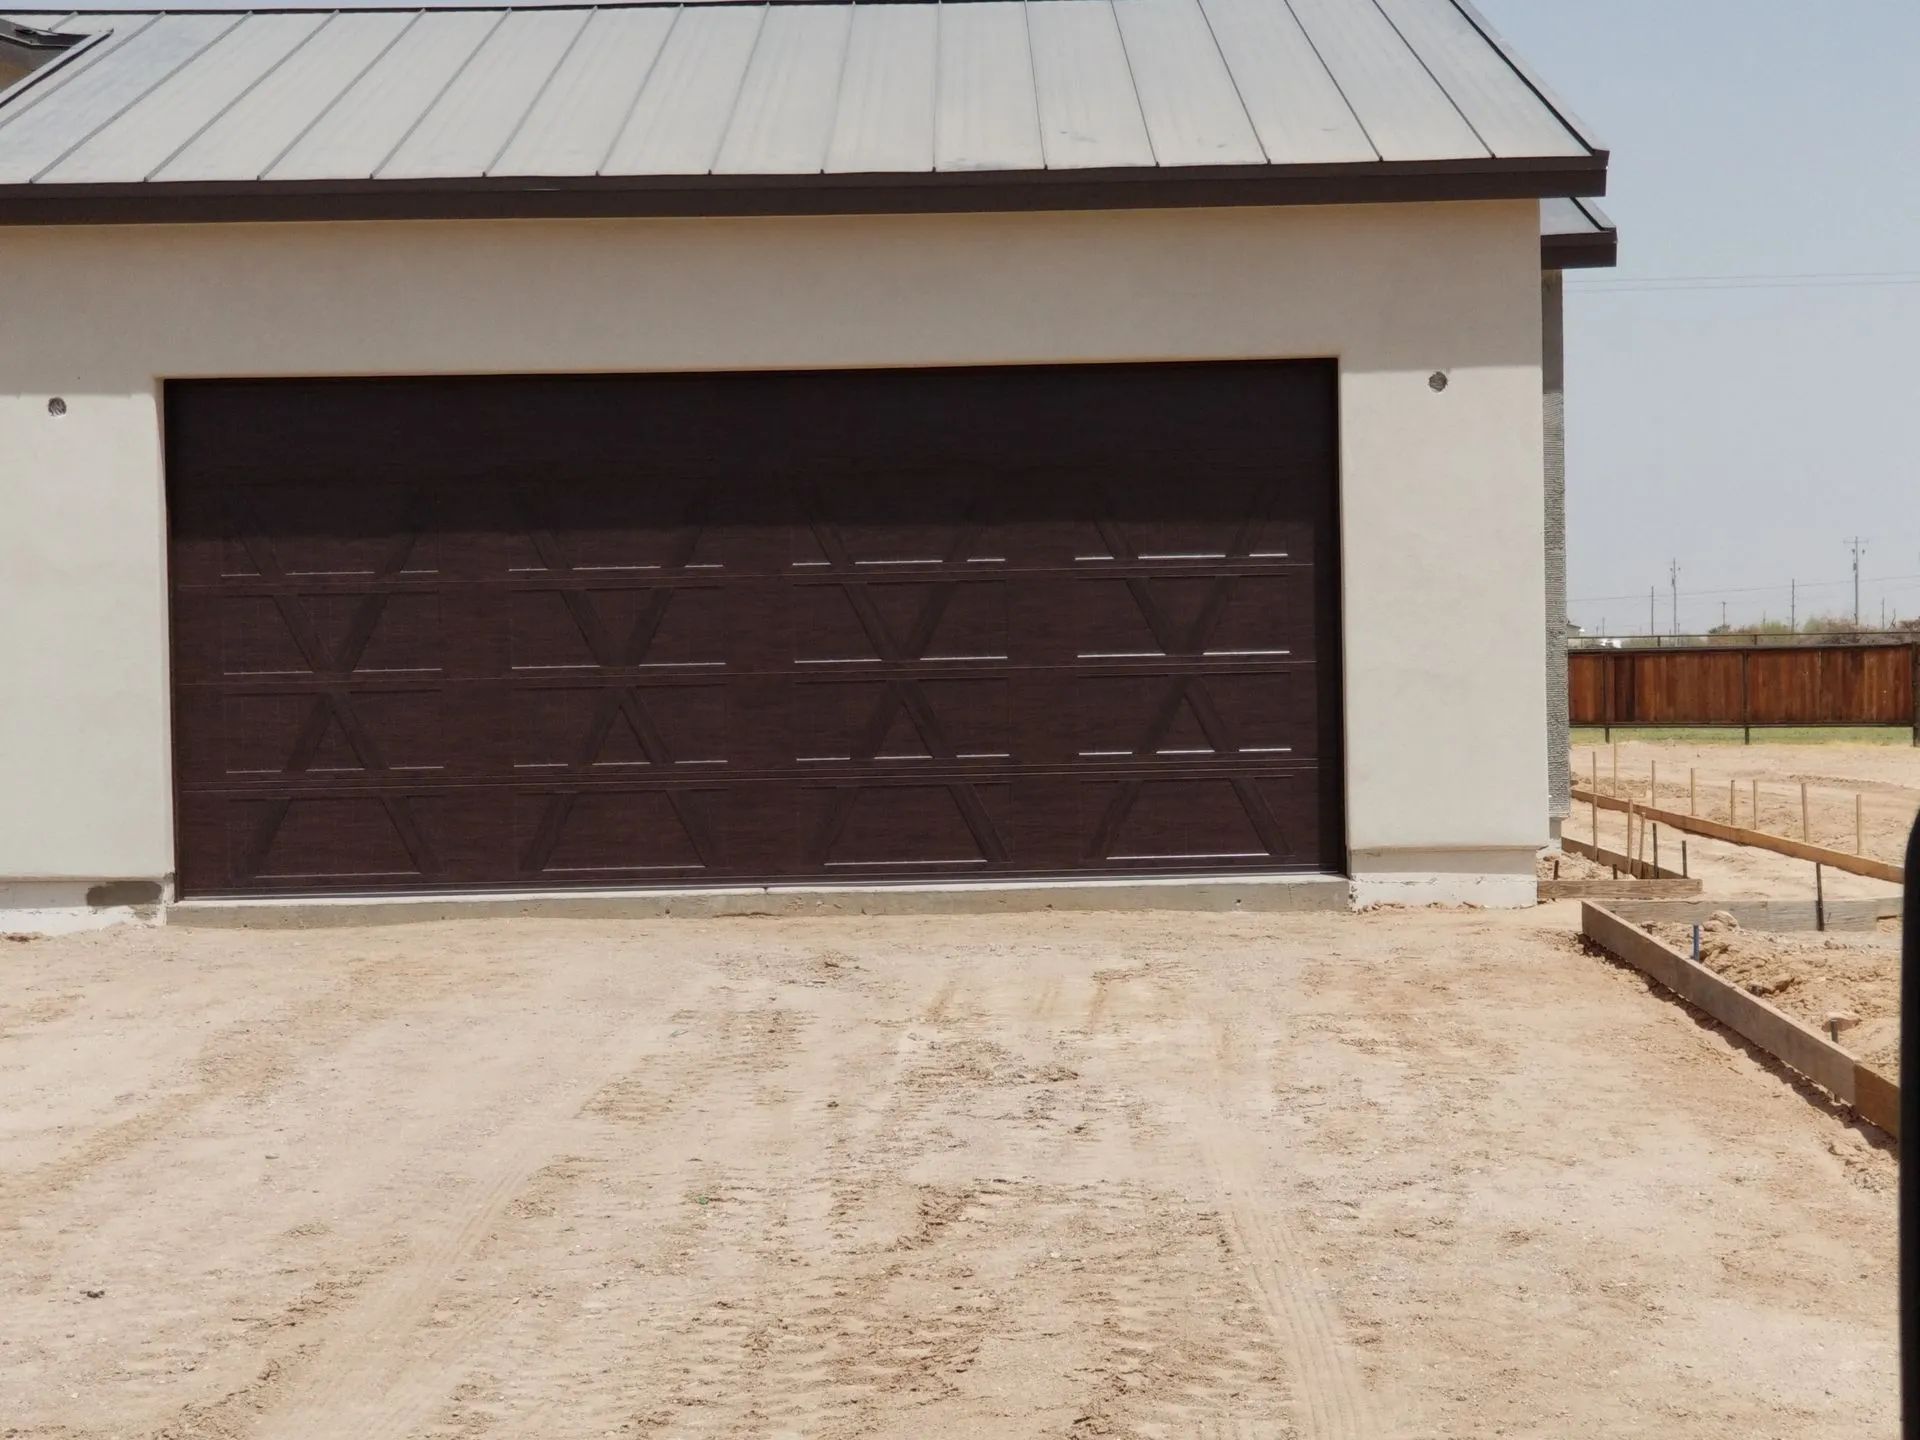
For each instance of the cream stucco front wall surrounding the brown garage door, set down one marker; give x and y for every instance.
(1441, 489)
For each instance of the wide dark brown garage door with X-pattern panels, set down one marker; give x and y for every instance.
(717, 629)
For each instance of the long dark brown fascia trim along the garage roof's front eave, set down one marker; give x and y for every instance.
(151, 203)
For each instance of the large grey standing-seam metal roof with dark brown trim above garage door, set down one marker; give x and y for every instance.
(744, 107)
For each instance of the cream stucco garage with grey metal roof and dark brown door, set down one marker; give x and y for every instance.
(813, 456)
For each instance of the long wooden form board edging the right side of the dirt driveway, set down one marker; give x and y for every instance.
(1796, 1045)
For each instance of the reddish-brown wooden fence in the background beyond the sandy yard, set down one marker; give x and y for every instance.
(1746, 686)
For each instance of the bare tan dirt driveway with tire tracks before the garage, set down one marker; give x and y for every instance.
(1422, 1174)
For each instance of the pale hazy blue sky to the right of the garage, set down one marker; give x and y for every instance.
(1746, 433)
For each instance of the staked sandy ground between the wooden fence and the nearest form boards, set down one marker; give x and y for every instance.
(1886, 777)
